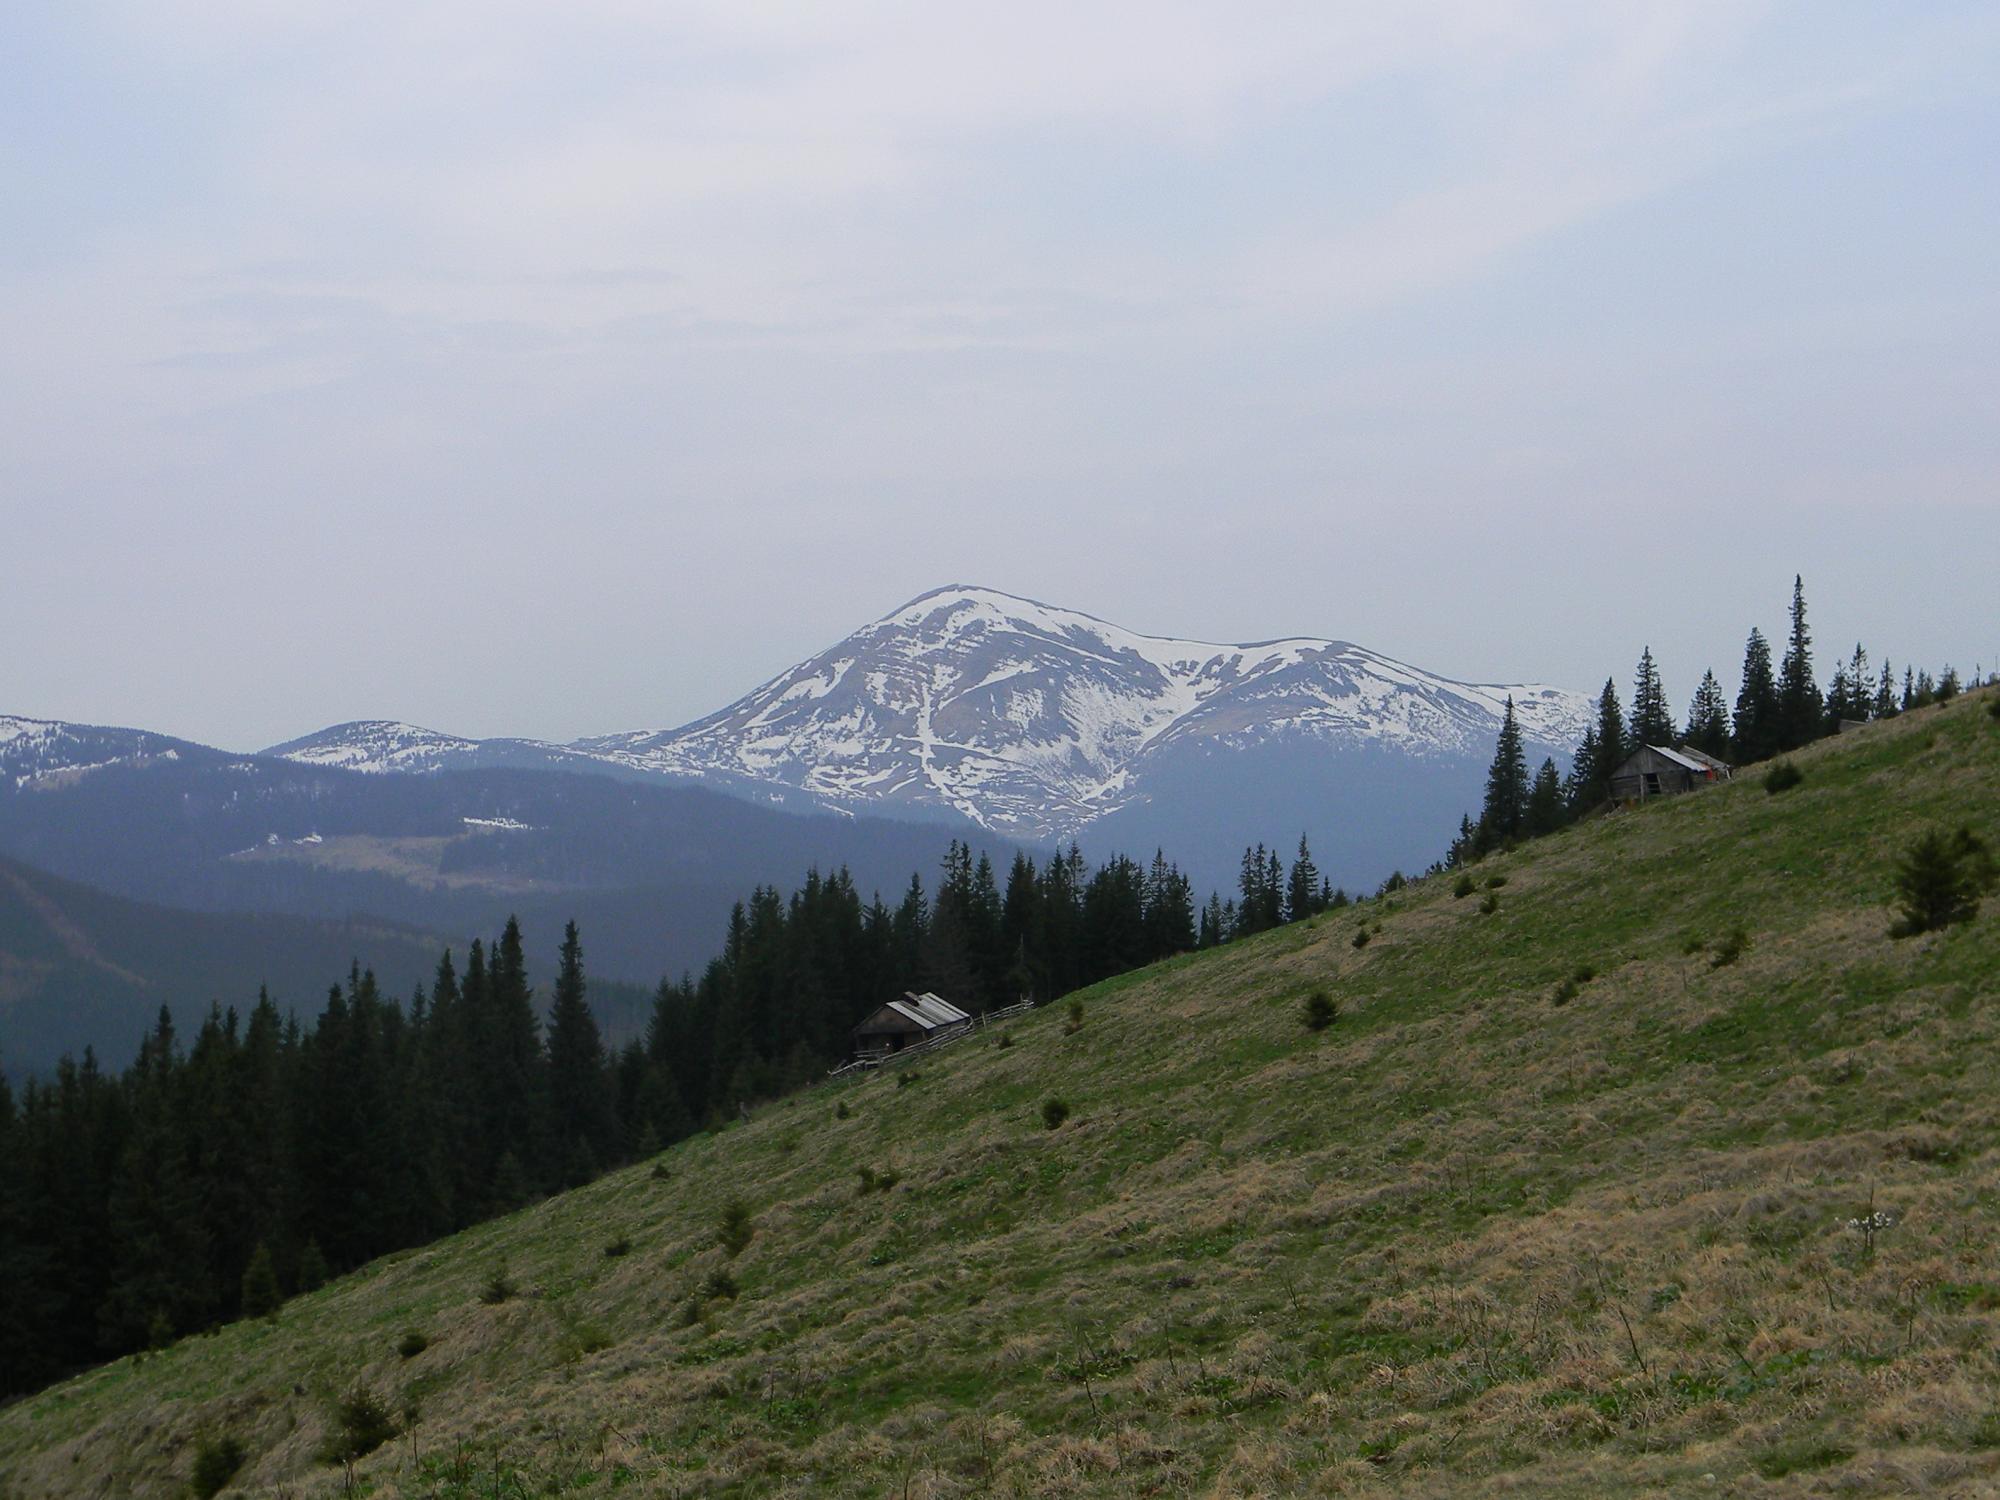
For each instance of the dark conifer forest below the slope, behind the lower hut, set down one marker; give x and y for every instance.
(261, 1153)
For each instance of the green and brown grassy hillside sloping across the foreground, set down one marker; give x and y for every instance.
(1461, 1243)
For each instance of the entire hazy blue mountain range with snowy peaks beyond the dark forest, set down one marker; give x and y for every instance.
(965, 713)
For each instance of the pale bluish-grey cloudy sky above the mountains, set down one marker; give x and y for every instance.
(525, 369)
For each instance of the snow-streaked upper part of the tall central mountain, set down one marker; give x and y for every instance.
(1037, 721)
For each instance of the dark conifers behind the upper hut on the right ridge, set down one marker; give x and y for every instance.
(1779, 707)
